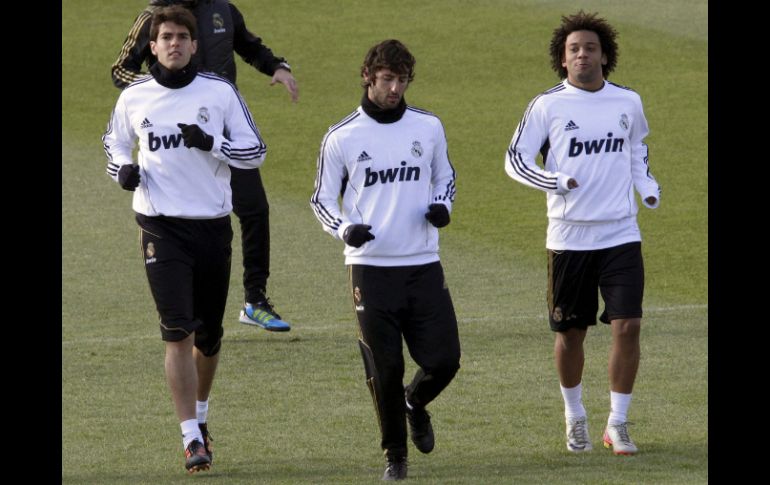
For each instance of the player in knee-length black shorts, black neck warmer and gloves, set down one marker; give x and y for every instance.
(182, 201)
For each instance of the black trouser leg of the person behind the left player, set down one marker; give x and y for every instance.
(251, 208)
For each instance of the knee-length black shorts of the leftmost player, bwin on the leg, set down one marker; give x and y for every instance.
(188, 268)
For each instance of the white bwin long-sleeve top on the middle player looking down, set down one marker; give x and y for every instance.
(390, 174)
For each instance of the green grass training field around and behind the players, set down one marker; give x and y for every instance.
(294, 408)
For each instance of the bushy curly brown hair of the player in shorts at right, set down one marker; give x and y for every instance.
(584, 21)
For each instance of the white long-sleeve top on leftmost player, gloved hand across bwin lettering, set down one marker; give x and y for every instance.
(175, 180)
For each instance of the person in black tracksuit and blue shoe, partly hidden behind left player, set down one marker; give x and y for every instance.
(222, 30)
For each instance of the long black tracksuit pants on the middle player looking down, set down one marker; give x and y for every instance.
(412, 302)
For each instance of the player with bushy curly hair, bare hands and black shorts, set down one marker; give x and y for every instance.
(590, 133)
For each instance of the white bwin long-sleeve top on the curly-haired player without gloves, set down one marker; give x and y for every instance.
(597, 138)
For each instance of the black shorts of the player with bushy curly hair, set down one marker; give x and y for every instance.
(575, 276)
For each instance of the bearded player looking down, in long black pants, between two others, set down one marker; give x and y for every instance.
(389, 161)
